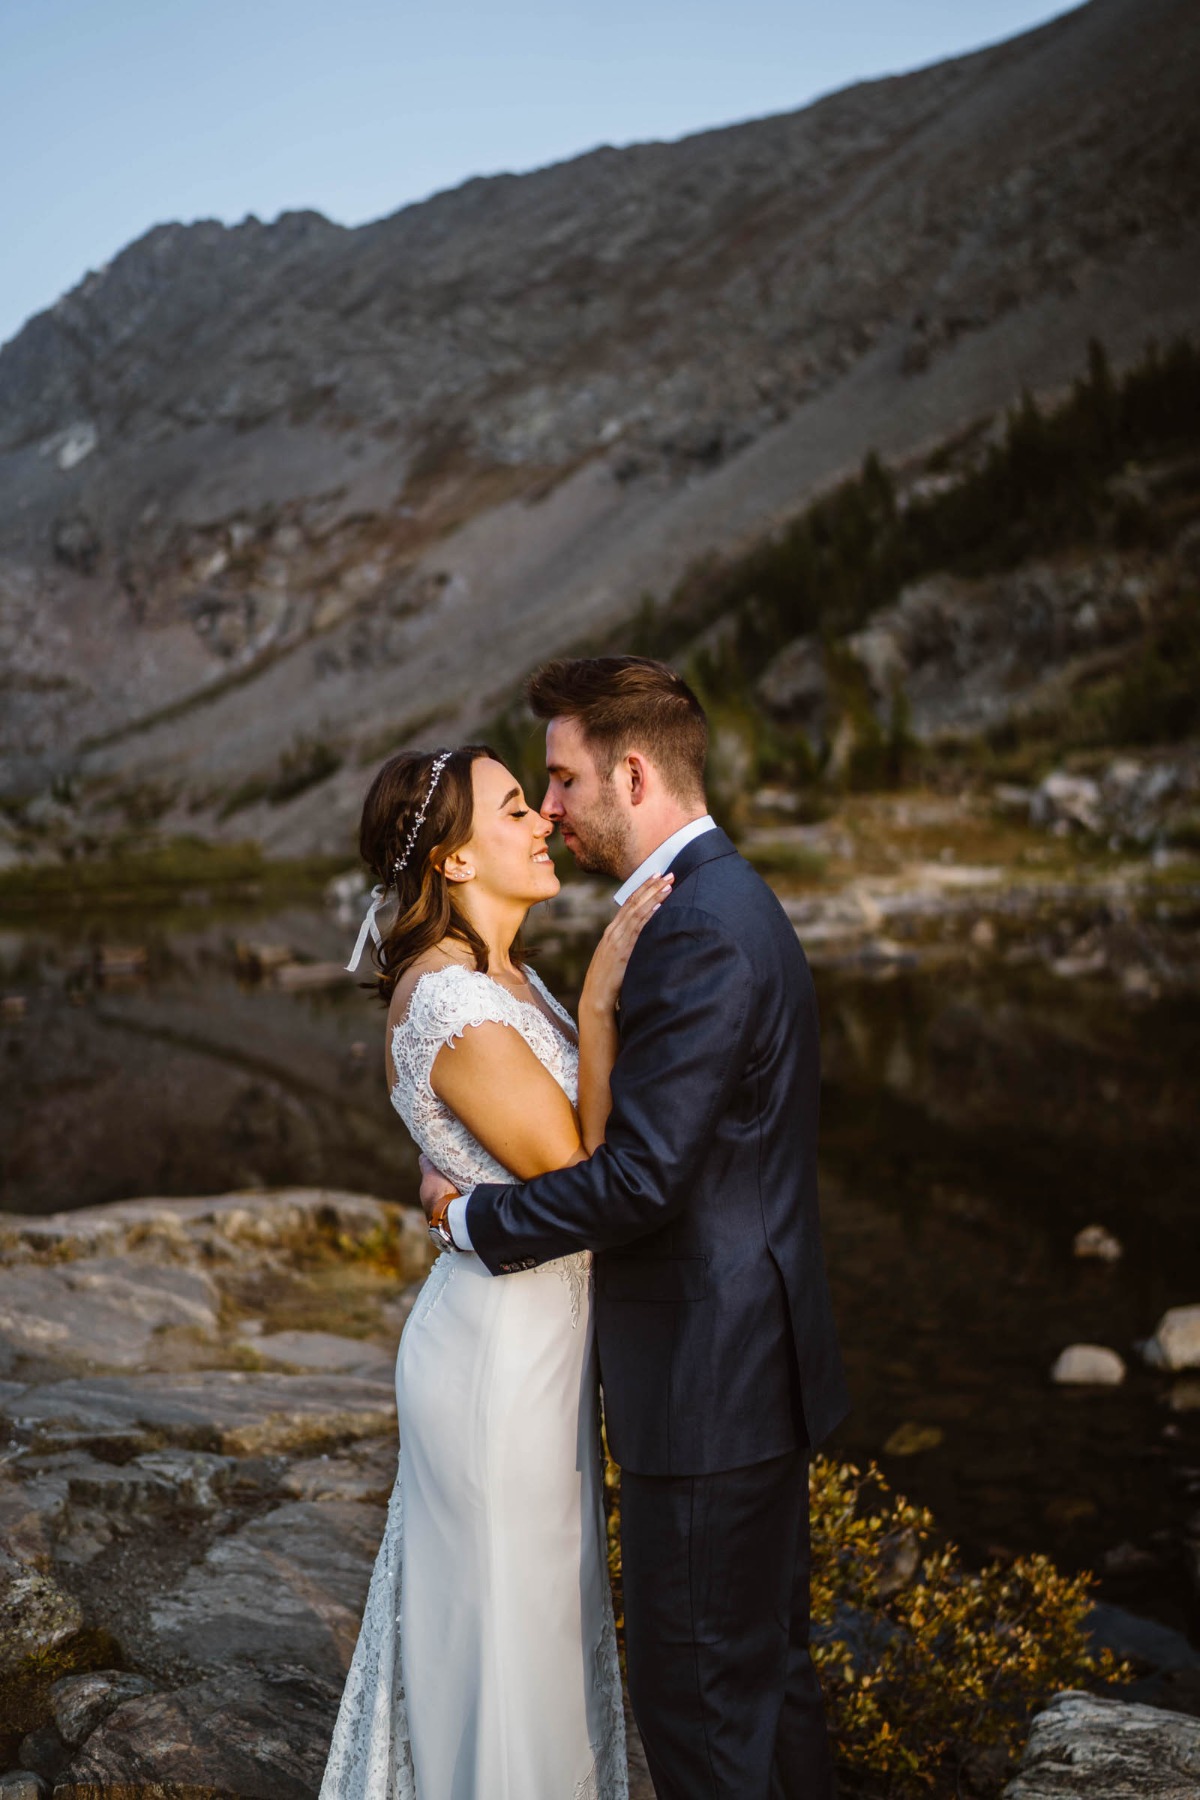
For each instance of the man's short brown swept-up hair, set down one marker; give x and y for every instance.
(629, 705)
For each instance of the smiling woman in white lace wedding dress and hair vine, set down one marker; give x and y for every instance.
(487, 1666)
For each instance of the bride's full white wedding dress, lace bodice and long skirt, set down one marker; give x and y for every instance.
(487, 1664)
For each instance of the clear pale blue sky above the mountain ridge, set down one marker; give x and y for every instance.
(121, 114)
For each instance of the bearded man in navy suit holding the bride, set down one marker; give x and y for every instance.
(715, 1333)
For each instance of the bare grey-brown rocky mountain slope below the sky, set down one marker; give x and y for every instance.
(280, 498)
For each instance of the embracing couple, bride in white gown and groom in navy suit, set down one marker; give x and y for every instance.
(627, 1205)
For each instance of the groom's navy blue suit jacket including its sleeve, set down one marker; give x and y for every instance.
(713, 1315)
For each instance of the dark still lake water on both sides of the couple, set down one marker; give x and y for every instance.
(972, 1124)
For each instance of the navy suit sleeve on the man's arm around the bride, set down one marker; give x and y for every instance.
(685, 1043)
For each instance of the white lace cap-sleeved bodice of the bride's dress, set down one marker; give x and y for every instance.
(443, 1005)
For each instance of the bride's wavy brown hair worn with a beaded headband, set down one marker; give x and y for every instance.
(424, 897)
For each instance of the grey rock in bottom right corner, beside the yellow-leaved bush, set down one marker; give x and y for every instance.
(1109, 1750)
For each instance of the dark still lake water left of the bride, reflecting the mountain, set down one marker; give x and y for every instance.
(190, 1083)
